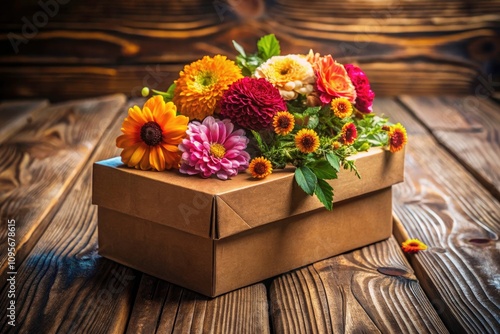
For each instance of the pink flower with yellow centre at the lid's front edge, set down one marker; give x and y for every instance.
(211, 147)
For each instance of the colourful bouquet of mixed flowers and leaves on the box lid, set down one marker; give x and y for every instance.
(261, 112)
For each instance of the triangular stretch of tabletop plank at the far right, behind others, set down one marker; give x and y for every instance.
(468, 127)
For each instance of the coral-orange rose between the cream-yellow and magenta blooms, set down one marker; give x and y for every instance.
(333, 81)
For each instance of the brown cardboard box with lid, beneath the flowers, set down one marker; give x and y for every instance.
(215, 236)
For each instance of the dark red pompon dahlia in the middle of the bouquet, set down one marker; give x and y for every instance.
(252, 103)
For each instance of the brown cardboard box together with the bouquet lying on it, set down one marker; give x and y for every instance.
(307, 114)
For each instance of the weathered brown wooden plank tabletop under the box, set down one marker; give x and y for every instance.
(450, 200)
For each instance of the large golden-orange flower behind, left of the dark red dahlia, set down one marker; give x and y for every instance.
(201, 85)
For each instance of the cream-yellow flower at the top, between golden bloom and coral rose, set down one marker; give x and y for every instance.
(291, 74)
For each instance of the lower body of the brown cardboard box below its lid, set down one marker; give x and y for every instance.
(213, 267)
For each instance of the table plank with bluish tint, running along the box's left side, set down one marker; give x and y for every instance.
(64, 285)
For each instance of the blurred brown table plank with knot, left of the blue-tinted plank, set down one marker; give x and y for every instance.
(40, 162)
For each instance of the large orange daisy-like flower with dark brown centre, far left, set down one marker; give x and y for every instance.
(151, 135)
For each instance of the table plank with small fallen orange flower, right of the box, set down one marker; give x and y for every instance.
(441, 204)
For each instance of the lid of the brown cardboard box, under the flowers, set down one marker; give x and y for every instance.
(218, 209)
